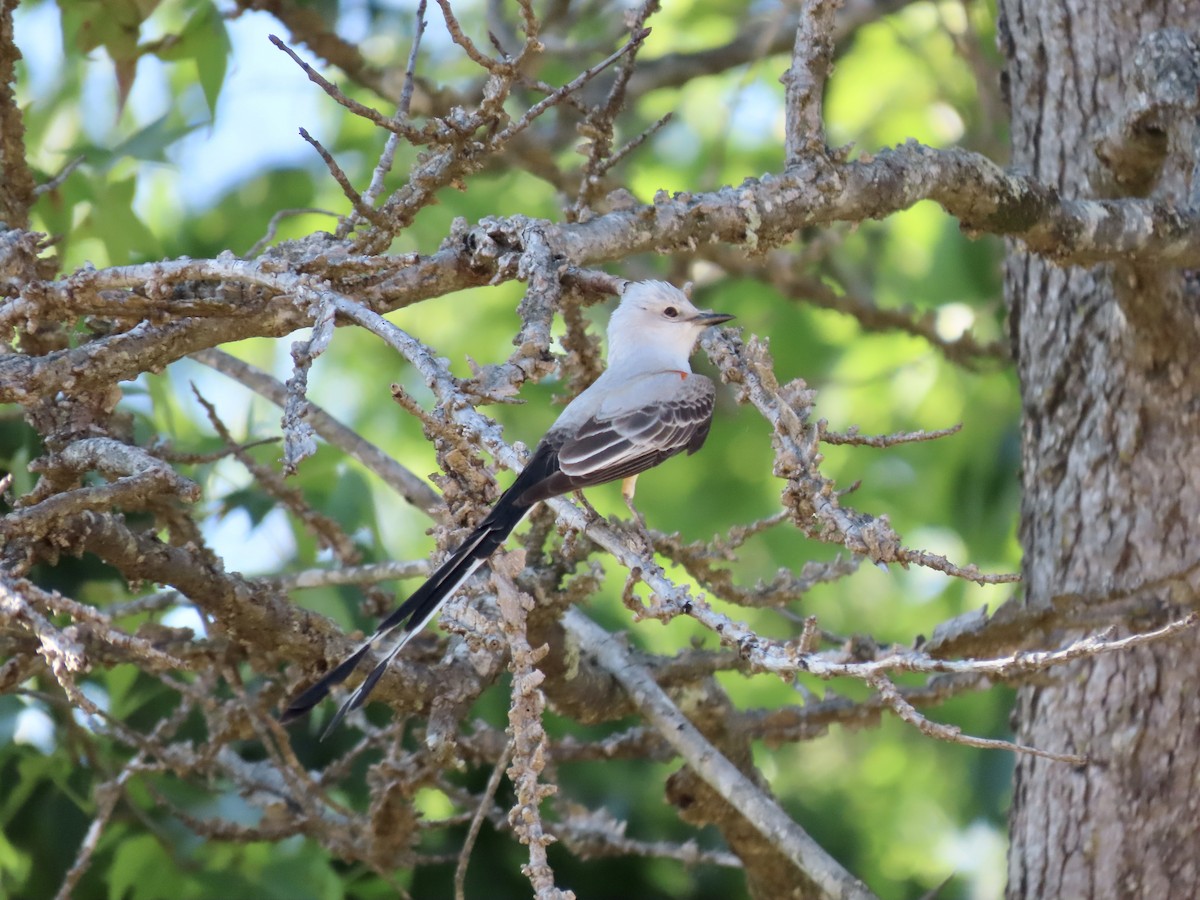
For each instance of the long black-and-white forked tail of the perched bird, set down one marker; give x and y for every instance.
(415, 614)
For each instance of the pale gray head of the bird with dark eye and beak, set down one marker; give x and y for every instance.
(657, 325)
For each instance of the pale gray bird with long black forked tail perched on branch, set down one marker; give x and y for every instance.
(646, 407)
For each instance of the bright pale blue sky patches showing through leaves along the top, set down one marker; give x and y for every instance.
(266, 99)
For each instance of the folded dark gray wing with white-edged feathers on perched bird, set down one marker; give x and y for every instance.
(674, 416)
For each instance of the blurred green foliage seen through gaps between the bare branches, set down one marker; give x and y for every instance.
(898, 809)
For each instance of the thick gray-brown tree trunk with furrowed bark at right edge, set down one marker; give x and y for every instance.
(1108, 359)
